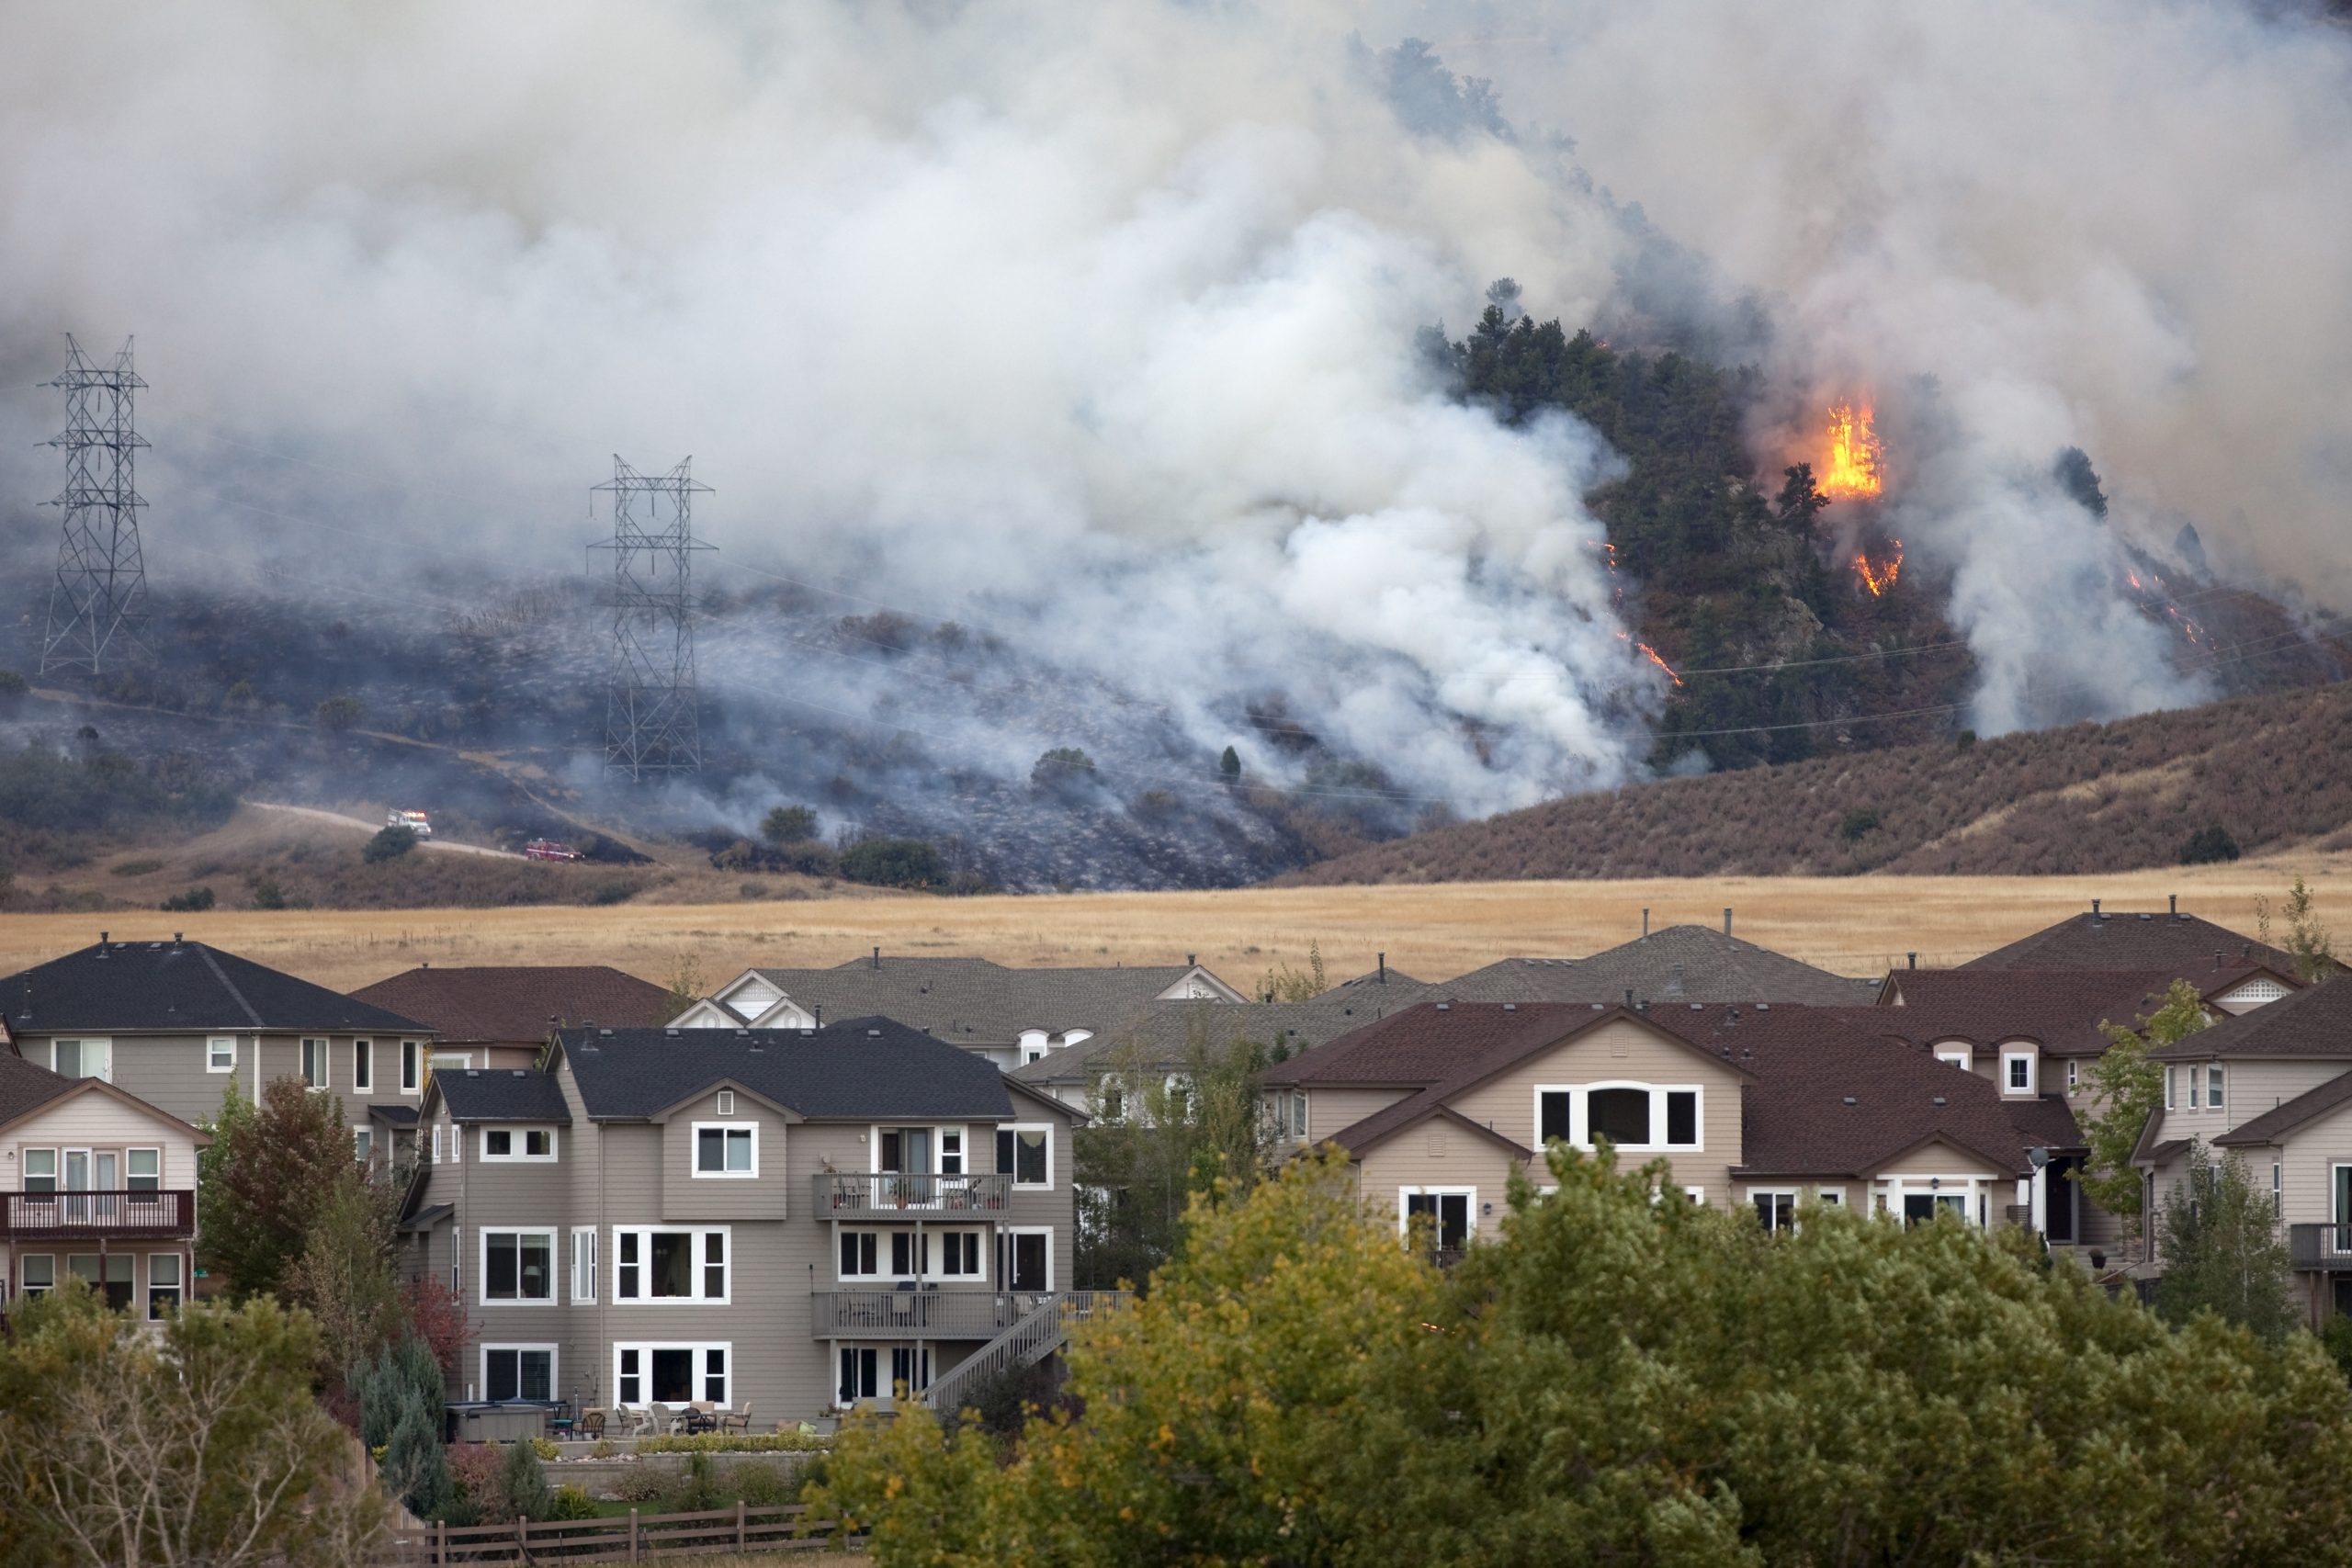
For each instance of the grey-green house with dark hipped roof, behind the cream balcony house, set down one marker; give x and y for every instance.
(178, 1021)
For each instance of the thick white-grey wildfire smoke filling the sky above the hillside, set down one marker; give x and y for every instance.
(1095, 326)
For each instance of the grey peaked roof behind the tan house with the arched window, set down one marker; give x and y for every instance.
(1671, 965)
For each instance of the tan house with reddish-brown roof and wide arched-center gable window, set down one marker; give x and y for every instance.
(1746, 1106)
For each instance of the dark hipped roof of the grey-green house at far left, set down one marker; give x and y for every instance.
(128, 989)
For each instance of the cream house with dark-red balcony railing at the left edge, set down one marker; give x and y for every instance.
(95, 1184)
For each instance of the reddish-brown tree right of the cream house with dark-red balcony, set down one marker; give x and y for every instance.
(267, 1177)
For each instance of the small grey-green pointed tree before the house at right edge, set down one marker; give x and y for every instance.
(2224, 1252)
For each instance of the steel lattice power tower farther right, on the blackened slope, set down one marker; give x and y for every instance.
(653, 721)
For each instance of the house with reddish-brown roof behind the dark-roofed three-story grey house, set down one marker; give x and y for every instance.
(502, 1017)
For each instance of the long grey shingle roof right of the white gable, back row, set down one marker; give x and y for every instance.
(975, 1003)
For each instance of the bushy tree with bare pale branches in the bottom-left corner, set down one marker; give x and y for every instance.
(192, 1447)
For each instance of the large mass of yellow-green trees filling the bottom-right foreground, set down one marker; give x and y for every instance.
(1619, 1376)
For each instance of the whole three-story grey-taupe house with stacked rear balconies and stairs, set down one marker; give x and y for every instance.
(794, 1219)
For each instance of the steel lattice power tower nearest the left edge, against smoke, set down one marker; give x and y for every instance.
(100, 596)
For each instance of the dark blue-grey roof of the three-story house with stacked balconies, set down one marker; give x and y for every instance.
(848, 1071)
